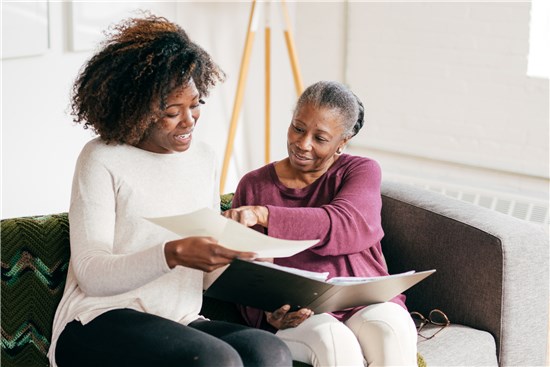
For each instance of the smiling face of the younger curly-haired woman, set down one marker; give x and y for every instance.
(173, 131)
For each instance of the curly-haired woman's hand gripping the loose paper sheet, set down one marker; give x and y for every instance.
(202, 253)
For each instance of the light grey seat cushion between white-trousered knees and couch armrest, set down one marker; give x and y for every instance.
(458, 345)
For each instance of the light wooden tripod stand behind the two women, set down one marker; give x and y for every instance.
(252, 28)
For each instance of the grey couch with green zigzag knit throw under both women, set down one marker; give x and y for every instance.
(491, 280)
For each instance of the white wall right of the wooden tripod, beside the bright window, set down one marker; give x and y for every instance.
(445, 86)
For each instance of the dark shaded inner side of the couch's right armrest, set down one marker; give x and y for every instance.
(466, 258)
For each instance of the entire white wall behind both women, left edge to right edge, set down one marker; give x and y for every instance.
(444, 86)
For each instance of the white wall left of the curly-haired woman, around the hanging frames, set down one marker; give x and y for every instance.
(39, 141)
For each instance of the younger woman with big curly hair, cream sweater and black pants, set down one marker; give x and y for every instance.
(134, 291)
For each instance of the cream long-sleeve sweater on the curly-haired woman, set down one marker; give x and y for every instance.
(117, 256)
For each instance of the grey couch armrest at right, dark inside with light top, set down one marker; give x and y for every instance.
(492, 269)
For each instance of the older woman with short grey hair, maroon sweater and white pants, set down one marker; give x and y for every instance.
(320, 192)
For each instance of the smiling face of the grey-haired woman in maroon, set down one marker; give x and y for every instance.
(313, 137)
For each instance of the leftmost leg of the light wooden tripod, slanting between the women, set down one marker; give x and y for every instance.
(252, 25)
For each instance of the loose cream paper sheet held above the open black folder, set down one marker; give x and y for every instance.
(230, 234)
